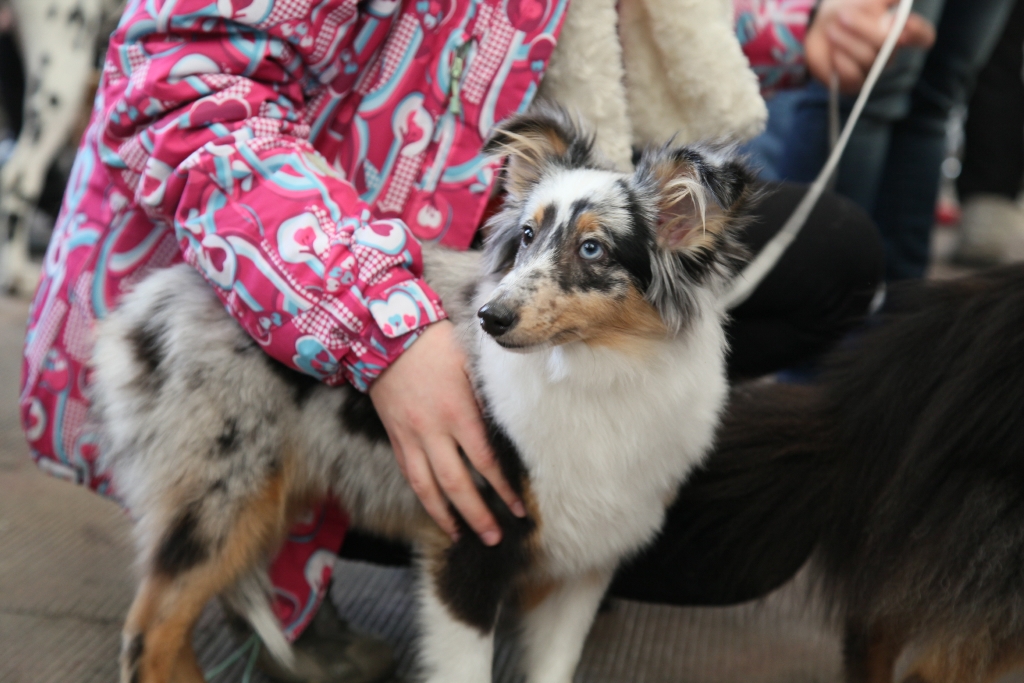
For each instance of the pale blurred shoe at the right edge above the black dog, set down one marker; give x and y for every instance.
(992, 232)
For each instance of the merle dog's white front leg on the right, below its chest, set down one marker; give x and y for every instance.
(557, 626)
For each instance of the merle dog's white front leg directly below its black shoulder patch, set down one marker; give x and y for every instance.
(451, 650)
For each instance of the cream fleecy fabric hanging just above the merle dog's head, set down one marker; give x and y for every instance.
(646, 71)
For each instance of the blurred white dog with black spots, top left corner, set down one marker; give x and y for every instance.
(59, 41)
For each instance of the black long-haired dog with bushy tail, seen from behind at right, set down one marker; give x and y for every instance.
(902, 476)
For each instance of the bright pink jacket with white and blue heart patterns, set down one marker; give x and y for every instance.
(294, 152)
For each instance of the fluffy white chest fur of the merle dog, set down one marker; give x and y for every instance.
(607, 438)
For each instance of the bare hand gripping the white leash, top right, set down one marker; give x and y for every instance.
(846, 36)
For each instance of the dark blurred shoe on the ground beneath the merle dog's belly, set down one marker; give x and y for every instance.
(331, 652)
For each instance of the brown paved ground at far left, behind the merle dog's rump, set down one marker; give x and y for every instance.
(65, 558)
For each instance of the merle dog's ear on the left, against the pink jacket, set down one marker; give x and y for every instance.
(536, 142)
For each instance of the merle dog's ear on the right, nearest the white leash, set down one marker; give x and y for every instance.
(700, 196)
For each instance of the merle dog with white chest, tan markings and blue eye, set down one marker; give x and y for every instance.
(594, 329)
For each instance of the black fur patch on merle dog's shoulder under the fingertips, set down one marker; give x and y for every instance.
(476, 579)
